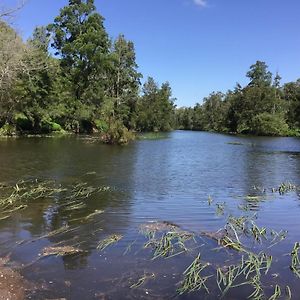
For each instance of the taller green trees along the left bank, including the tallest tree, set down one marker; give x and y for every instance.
(71, 76)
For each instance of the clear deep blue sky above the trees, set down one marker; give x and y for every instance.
(199, 46)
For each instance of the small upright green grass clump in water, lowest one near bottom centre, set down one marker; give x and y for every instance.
(193, 279)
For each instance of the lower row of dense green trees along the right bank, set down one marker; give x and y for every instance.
(262, 107)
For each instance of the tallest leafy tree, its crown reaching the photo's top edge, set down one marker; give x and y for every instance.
(81, 42)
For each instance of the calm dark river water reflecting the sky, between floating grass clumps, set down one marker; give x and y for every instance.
(165, 180)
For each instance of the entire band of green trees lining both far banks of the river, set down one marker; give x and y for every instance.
(71, 76)
